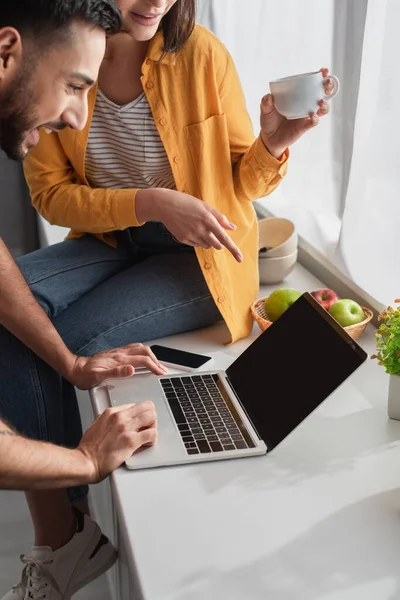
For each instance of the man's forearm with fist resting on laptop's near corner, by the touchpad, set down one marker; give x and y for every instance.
(114, 436)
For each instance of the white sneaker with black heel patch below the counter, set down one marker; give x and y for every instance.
(58, 575)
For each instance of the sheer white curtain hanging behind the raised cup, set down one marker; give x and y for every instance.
(343, 186)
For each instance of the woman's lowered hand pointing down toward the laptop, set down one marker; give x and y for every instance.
(188, 219)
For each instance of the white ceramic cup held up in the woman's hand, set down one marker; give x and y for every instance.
(297, 96)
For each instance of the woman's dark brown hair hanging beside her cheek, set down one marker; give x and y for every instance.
(178, 24)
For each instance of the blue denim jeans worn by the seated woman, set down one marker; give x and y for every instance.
(98, 298)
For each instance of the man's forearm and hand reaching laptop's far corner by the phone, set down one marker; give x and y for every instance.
(24, 317)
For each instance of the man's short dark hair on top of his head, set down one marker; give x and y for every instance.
(47, 20)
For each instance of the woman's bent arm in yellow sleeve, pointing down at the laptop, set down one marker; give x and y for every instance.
(63, 202)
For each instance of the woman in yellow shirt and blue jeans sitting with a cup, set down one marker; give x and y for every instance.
(161, 182)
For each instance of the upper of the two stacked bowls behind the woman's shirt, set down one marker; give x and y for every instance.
(278, 235)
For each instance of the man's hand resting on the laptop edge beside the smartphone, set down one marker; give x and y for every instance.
(87, 372)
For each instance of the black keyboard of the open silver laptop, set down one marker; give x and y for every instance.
(205, 415)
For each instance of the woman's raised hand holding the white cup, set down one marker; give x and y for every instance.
(278, 133)
